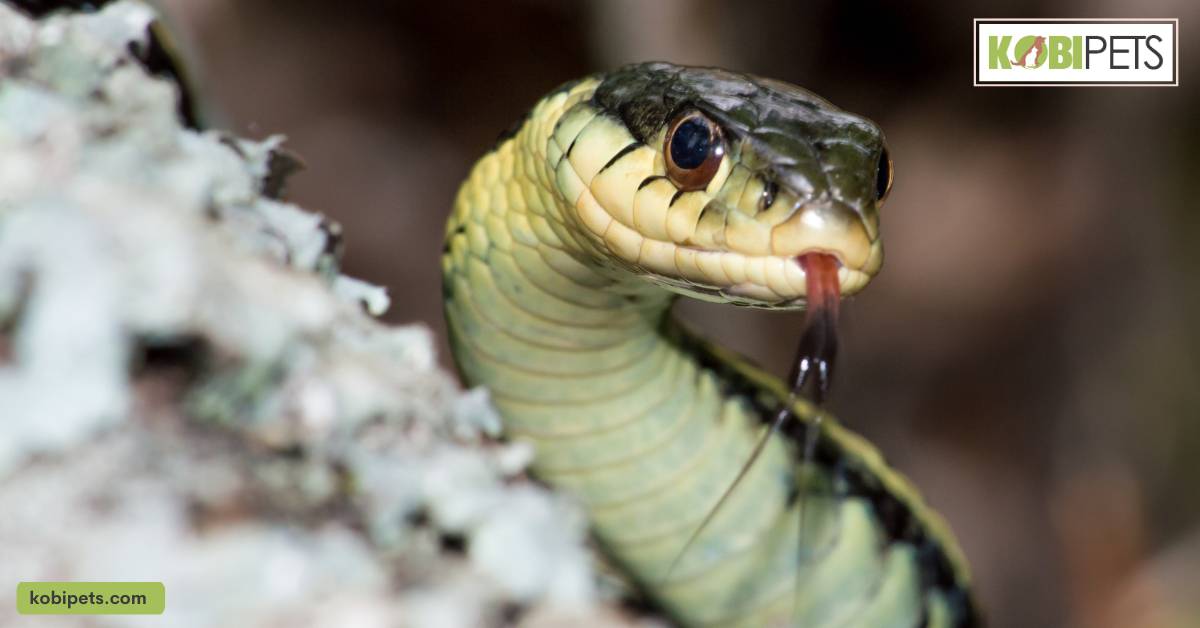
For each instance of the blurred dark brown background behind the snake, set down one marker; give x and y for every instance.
(1030, 355)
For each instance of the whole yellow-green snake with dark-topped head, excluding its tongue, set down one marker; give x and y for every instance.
(566, 248)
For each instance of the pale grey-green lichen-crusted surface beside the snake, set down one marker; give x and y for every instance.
(191, 392)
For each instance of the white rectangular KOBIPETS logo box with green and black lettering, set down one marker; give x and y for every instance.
(1077, 52)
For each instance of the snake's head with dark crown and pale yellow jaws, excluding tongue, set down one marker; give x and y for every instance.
(713, 184)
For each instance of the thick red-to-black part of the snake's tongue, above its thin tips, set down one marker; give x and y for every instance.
(819, 345)
